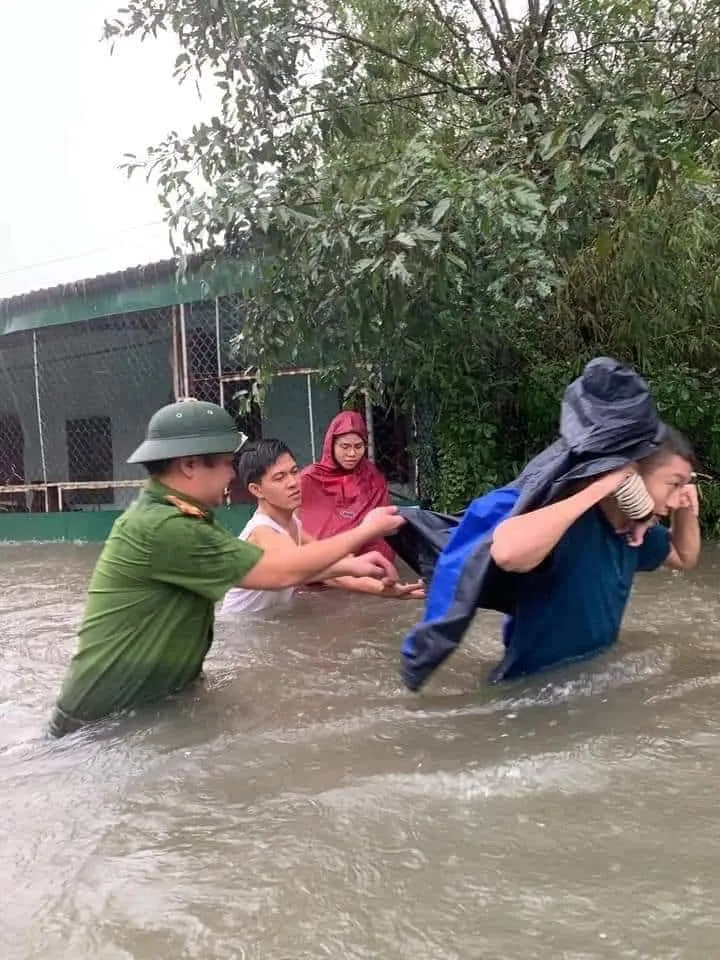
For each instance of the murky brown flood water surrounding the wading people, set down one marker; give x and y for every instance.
(304, 805)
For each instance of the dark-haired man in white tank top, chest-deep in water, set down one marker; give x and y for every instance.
(268, 471)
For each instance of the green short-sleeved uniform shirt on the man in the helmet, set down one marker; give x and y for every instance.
(148, 621)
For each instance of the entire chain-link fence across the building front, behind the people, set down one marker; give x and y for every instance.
(75, 399)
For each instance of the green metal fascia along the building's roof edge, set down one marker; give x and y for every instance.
(148, 287)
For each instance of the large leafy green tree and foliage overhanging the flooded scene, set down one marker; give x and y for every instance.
(458, 202)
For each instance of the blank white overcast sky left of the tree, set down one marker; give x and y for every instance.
(68, 112)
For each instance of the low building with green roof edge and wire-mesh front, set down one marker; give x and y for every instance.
(83, 367)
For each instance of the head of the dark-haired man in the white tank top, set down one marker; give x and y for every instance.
(268, 471)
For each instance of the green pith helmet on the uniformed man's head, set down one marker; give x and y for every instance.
(188, 428)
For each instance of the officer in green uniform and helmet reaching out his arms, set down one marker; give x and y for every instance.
(149, 615)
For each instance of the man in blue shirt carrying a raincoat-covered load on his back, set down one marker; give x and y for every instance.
(558, 548)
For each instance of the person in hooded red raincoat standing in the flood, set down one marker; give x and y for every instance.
(339, 490)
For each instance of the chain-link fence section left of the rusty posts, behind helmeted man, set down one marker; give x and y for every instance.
(74, 401)
